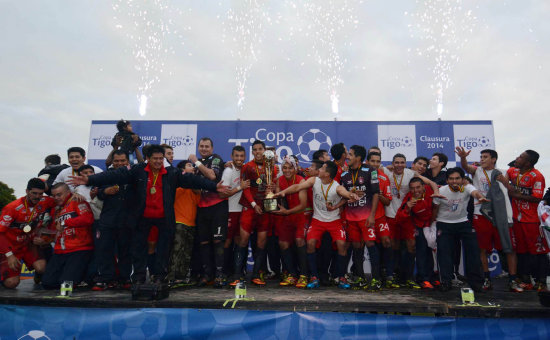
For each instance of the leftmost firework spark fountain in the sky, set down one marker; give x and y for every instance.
(147, 26)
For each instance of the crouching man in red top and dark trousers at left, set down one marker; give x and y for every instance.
(74, 243)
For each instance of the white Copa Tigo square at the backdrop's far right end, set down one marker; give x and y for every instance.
(474, 138)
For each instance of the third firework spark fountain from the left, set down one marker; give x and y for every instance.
(325, 26)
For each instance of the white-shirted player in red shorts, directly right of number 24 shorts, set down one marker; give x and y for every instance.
(399, 176)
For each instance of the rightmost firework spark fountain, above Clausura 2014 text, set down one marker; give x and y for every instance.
(442, 27)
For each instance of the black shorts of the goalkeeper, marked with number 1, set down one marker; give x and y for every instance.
(212, 222)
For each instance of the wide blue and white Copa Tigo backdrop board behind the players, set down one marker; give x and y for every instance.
(302, 138)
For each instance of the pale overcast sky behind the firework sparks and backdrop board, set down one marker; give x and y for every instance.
(65, 63)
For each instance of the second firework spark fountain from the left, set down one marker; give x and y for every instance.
(245, 27)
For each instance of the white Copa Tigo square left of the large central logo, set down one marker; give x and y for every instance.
(181, 137)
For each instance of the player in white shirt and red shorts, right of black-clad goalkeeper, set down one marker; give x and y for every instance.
(232, 177)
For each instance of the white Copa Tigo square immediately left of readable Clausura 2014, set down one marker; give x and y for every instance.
(394, 139)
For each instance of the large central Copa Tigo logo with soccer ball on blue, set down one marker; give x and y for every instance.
(286, 143)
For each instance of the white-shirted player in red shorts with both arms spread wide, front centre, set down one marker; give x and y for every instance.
(327, 193)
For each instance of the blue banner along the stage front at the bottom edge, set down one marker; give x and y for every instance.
(41, 323)
